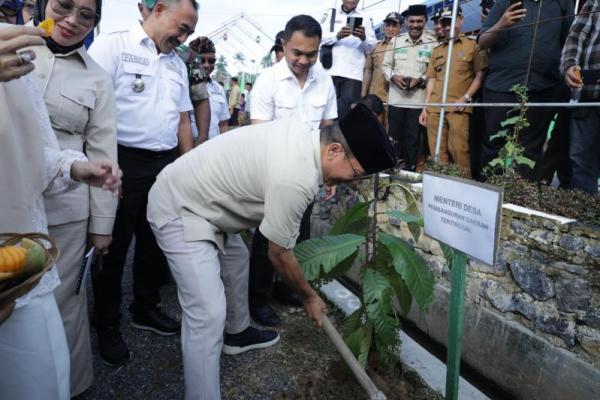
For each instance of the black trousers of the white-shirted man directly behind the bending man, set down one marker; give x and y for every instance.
(261, 269)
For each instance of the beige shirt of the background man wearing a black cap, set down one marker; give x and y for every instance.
(407, 58)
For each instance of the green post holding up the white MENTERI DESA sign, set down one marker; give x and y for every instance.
(455, 323)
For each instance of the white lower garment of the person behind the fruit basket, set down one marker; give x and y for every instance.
(34, 357)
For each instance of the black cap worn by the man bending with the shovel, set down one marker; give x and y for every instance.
(367, 139)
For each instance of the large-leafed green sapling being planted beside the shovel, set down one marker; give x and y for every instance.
(393, 275)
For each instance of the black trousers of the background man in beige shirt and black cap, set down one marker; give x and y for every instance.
(407, 132)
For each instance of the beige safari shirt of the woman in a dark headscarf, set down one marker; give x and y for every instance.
(81, 102)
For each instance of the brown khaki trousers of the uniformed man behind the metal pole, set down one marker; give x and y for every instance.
(455, 138)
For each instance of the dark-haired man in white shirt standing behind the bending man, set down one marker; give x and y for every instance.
(294, 87)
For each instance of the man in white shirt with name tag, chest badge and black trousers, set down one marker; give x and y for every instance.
(153, 127)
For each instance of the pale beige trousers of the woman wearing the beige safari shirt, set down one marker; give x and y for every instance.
(71, 240)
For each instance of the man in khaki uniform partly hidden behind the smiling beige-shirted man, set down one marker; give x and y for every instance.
(373, 80)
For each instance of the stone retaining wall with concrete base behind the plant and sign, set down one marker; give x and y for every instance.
(532, 321)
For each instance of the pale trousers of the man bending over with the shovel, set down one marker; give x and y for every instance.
(205, 277)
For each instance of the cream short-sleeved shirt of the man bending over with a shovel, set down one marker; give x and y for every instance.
(267, 172)
